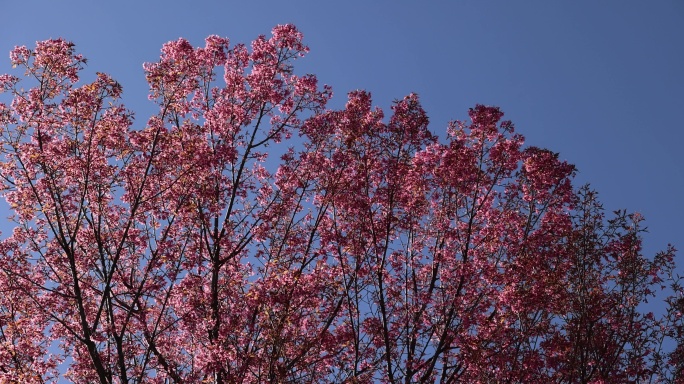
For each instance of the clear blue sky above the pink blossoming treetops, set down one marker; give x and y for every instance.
(600, 82)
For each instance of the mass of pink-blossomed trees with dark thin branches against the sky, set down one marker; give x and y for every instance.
(369, 251)
